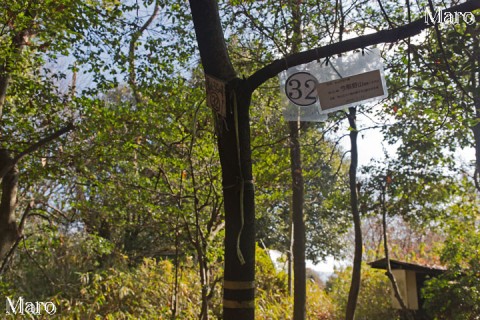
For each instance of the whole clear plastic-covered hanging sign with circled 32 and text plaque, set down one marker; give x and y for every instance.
(313, 90)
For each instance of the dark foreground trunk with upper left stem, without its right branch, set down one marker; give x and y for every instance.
(235, 157)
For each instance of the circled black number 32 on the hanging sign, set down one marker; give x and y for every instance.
(301, 89)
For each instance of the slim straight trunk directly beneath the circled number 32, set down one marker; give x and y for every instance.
(299, 277)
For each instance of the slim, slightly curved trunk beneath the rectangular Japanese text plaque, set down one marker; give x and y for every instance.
(357, 260)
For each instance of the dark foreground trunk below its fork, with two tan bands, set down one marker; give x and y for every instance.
(239, 219)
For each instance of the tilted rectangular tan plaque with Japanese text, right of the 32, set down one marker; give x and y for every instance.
(350, 90)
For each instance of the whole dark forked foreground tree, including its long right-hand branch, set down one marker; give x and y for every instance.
(238, 286)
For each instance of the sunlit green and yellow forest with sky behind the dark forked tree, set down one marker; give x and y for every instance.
(112, 203)
